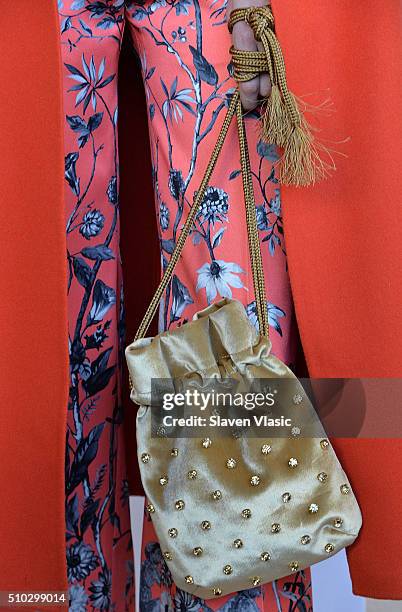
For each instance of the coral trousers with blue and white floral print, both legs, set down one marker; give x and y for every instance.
(183, 48)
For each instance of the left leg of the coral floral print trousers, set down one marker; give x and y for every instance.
(98, 538)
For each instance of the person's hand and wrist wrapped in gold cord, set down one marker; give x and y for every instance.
(243, 39)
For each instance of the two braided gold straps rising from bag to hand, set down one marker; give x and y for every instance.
(251, 222)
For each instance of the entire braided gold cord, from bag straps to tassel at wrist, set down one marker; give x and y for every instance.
(300, 164)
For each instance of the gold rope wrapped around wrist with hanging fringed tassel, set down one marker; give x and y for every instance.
(282, 120)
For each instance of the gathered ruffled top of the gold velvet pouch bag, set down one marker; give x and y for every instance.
(219, 333)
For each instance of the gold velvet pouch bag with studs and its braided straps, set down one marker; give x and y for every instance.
(234, 512)
